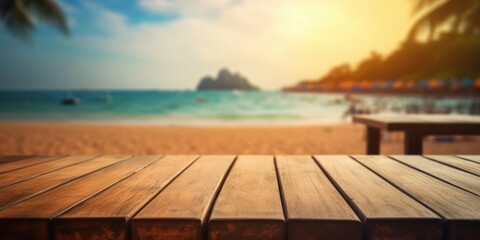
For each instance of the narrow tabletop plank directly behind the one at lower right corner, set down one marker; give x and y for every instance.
(454, 176)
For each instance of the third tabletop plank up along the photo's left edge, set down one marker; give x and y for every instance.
(42, 168)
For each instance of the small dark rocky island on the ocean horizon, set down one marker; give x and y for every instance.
(226, 80)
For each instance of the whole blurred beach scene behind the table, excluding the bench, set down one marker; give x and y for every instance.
(231, 76)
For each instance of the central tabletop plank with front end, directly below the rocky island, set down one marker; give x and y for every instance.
(249, 205)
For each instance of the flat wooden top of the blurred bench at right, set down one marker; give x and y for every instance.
(417, 121)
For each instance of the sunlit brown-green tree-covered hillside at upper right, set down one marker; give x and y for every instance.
(451, 54)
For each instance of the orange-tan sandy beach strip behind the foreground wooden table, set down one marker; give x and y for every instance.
(52, 138)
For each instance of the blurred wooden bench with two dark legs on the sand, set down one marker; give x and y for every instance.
(416, 127)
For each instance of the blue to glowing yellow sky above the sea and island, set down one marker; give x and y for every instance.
(171, 44)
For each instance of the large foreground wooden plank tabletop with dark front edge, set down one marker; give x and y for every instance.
(239, 197)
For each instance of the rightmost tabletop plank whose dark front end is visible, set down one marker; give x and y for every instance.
(461, 209)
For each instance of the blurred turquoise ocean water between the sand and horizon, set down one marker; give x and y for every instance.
(204, 108)
